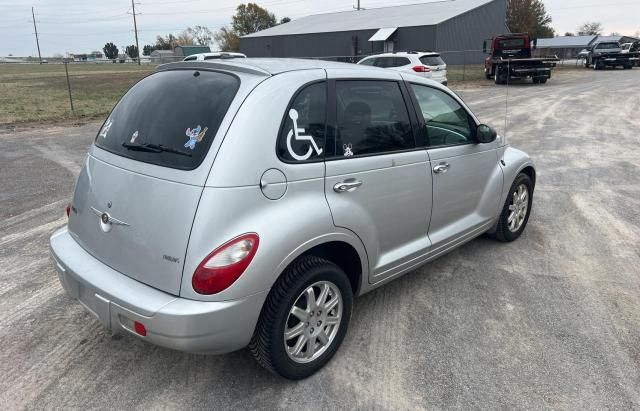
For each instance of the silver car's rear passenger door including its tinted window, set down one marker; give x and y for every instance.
(377, 183)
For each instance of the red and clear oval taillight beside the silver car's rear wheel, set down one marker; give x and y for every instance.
(225, 265)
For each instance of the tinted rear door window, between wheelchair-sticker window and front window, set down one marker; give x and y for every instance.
(372, 118)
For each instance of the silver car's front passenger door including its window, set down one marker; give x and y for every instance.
(467, 179)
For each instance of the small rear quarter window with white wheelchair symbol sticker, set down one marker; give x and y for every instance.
(303, 133)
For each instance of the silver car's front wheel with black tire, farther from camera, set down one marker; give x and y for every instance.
(513, 210)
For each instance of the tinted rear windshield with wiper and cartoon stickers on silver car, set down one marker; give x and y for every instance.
(169, 118)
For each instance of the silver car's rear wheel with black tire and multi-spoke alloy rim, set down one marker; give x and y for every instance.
(269, 345)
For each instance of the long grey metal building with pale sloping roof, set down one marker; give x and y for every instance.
(456, 28)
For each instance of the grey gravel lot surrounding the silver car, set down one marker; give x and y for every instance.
(549, 321)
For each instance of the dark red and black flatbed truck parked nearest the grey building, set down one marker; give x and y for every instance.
(511, 56)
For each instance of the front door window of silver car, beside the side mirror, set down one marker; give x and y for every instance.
(446, 121)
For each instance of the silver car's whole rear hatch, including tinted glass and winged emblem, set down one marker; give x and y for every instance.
(138, 223)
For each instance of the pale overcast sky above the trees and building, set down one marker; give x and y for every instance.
(81, 26)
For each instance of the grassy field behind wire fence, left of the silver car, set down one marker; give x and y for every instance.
(38, 93)
